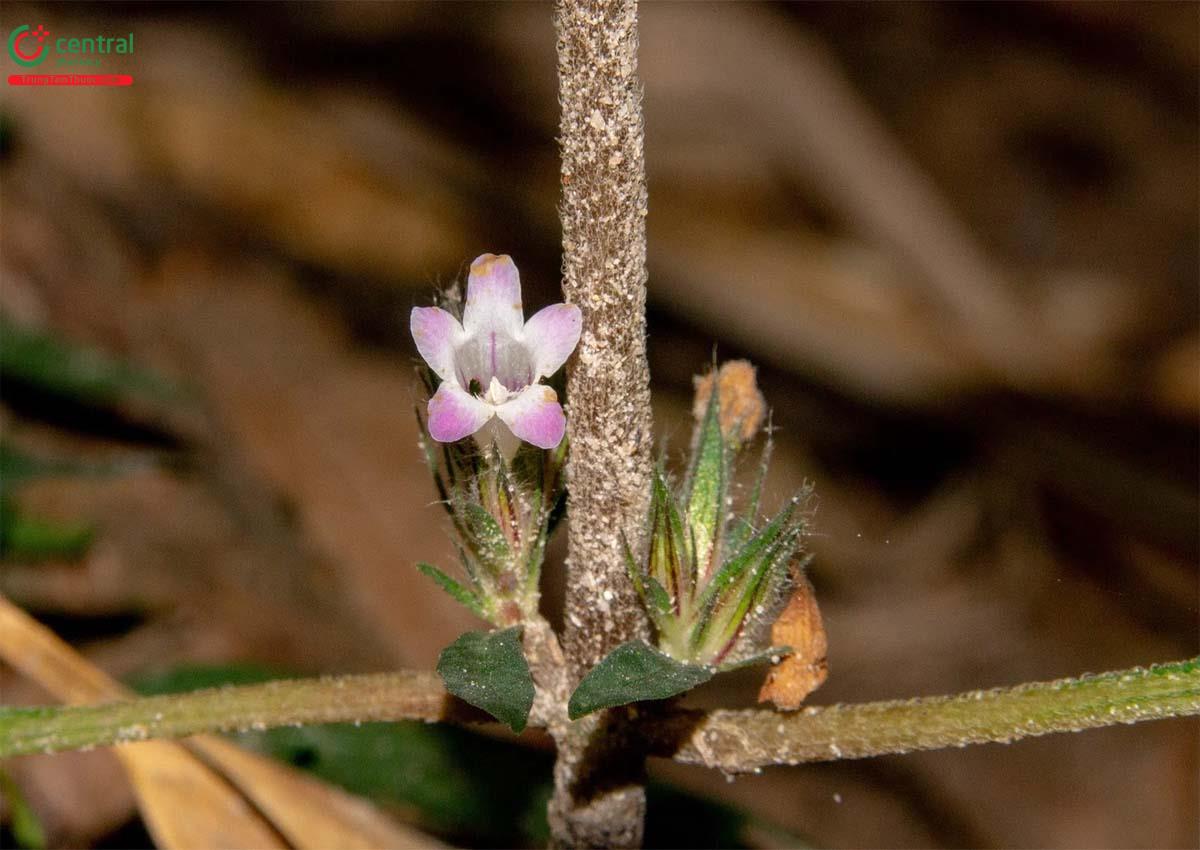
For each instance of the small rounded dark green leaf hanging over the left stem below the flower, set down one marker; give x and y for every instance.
(489, 671)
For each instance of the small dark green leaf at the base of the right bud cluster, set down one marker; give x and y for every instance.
(633, 673)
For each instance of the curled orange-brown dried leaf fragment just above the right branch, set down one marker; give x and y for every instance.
(802, 673)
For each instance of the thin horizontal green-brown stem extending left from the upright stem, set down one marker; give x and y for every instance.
(380, 697)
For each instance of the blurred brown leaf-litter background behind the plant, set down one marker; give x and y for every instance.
(961, 242)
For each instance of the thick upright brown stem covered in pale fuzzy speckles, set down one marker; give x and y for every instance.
(599, 800)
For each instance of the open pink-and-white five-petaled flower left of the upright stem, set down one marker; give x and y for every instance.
(491, 363)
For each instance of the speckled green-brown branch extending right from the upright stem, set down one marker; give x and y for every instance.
(739, 741)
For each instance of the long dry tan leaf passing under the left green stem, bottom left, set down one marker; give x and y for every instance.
(189, 804)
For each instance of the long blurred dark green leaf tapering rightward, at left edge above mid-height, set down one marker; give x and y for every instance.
(61, 368)
